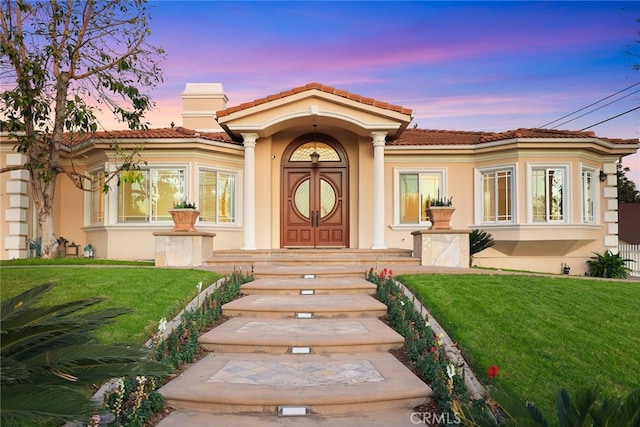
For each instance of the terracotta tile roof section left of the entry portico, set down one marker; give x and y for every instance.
(160, 133)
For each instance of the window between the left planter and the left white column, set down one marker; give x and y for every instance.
(217, 192)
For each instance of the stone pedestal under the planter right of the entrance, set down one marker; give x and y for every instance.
(442, 248)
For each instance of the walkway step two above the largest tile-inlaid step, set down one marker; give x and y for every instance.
(305, 306)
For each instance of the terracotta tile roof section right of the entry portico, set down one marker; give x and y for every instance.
(451, 137)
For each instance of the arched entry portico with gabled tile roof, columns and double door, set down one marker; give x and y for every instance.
(310, 199)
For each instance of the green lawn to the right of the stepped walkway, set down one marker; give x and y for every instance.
(544, 333)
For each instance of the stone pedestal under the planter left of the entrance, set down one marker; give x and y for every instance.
(183, 249)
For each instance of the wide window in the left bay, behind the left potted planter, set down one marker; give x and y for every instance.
(147, 195)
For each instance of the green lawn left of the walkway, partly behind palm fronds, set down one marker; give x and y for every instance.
(152, 293)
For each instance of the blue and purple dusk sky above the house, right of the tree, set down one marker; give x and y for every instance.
(459, 65)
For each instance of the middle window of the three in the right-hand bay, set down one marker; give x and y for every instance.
(547, 194)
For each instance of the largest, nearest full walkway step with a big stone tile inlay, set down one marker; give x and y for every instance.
(324, 384)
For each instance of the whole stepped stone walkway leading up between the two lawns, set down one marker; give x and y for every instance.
(297, 345)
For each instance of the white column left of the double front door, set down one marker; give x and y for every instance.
(249, 242)
